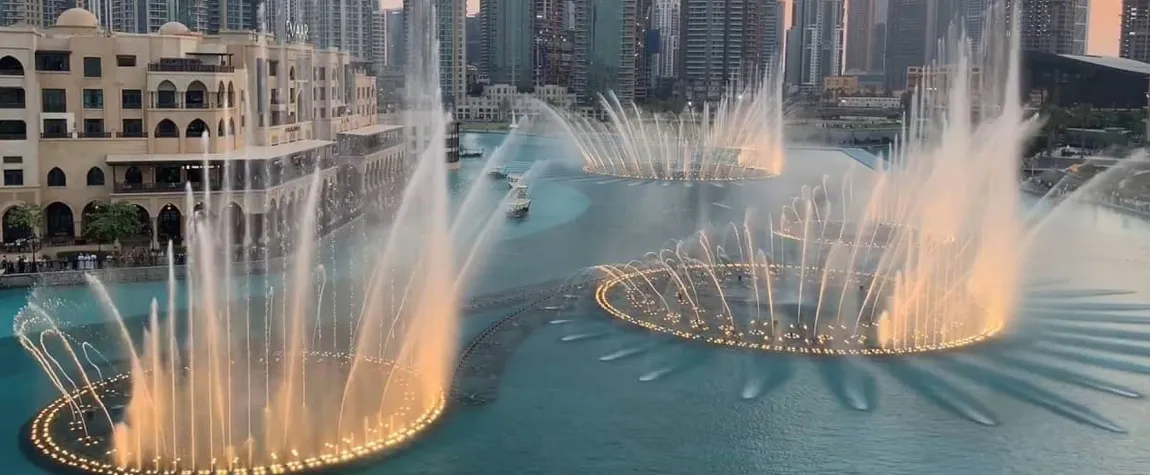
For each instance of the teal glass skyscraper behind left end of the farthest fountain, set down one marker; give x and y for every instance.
(605, 49)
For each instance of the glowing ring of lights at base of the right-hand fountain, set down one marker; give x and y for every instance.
(617, 284)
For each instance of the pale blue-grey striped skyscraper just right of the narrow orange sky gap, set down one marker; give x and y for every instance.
(815, 43)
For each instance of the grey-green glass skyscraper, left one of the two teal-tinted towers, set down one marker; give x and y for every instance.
(507, 32)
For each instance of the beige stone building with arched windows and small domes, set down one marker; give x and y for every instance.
(89, 118)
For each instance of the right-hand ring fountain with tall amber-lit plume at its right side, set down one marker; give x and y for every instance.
(923, 255)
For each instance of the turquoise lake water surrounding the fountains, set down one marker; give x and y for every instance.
(1057, 393)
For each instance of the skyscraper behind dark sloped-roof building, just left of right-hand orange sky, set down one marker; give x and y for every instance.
(1057, 27)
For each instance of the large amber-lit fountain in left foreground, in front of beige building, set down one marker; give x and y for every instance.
(305, 374)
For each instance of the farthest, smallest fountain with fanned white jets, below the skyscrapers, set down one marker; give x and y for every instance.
(742, 139)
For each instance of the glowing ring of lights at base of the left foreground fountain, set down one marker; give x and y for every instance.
(50, 439)
